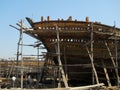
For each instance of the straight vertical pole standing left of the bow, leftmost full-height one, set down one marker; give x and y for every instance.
(21, 38)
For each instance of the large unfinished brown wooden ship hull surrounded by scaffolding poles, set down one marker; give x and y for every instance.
(78, 52)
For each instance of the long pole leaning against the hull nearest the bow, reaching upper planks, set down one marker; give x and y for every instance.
(59, 59)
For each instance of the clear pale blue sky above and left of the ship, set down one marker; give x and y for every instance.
(11, 11)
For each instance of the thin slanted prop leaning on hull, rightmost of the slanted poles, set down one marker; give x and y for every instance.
(114, 64)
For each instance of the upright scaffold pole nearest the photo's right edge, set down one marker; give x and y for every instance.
(116, 55)
